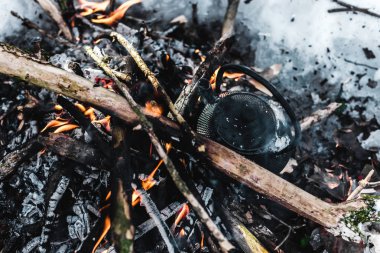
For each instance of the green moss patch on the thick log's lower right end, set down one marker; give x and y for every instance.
(366, 214)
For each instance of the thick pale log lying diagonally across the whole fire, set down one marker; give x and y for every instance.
(17, 64)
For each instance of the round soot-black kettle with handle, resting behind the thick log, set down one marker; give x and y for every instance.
(261, 127)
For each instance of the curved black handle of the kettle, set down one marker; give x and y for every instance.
(272, 89)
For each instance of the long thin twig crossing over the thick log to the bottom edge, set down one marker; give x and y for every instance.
(224, 244)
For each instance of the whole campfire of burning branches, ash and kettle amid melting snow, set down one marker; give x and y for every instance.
(126, 133)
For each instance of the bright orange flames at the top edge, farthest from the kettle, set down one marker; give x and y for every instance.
(114, 17)
